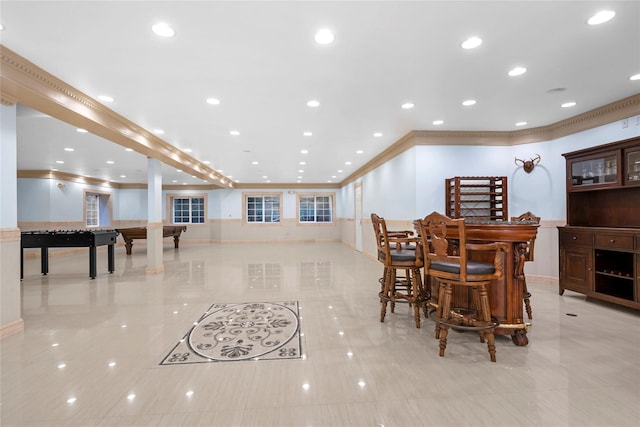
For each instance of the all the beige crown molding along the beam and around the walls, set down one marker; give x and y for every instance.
(24, 82)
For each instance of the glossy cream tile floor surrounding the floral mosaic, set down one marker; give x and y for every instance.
(90, 351)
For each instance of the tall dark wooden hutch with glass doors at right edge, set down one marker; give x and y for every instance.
(600, 245)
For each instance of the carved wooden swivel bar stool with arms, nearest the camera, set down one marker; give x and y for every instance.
(452, 266)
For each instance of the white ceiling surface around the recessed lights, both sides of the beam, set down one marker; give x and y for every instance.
(261, 61)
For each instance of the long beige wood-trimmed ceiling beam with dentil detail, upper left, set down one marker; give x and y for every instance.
(23, 82)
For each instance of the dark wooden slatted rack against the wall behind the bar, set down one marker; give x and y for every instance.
(480, 197)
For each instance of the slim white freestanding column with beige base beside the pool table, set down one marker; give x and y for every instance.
(154, 216)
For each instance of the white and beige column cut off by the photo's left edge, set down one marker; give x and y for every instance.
(10, 306)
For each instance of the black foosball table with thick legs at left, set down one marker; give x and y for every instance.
(68, 239)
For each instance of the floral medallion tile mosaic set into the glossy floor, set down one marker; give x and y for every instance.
(241, 332)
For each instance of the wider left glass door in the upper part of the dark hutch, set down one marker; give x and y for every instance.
(599, 170)
